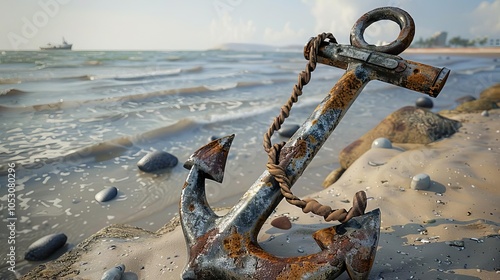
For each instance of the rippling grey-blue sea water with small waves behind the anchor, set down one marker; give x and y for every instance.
(75, 122)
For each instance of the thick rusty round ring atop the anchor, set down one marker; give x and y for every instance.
(402, 18)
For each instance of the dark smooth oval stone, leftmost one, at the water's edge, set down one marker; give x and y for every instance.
(44, 247)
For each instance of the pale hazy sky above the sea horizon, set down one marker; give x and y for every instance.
(205, 24)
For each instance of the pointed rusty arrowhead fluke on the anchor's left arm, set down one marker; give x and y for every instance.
(211, 158)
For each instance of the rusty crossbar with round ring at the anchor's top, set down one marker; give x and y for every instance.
(389, 67)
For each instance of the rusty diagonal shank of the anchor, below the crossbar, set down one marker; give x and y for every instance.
(264, 195)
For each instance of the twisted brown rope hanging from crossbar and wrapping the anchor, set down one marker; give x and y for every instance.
(277, 170)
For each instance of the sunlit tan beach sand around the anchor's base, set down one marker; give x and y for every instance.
(450, 231)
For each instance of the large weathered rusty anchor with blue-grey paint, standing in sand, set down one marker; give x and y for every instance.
(226, 247)
